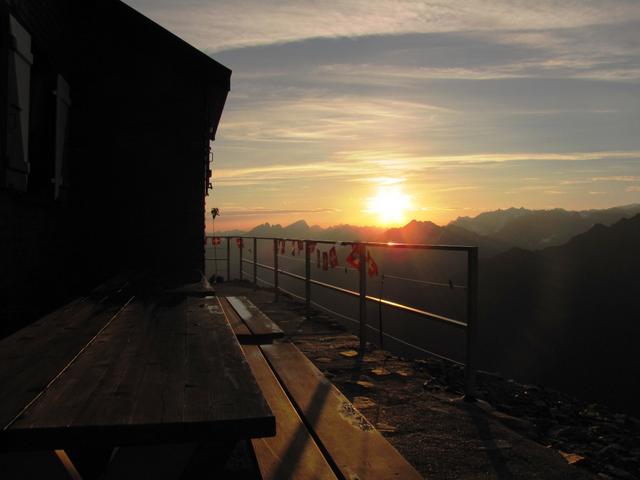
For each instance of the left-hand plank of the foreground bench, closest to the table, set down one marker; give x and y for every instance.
(292, 453)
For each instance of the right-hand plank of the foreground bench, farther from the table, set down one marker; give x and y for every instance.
(357, 449)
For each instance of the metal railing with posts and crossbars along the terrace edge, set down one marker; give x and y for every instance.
(361, 248)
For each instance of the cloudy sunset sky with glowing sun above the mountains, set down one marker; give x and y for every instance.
(375, 112)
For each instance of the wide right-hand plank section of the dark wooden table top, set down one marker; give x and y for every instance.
(165, 370)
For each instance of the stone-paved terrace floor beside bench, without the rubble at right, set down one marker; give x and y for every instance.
(415, 403)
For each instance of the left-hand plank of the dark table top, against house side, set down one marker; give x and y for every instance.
(34, 355)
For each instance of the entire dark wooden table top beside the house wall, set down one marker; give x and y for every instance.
(161, 368)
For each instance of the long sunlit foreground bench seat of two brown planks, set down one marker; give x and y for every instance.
(319, 433)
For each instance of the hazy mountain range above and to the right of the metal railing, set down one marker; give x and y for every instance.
(565, 315)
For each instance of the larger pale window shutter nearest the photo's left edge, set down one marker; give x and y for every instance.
(18, 85)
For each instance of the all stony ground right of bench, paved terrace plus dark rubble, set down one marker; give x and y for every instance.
(514, 431)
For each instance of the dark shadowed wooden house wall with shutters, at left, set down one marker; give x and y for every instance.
(104, 155)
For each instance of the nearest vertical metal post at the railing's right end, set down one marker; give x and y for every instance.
(472, 324)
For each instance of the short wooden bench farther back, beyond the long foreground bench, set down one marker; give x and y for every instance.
(240, 310)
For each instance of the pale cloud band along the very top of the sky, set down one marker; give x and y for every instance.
(215, 26)
